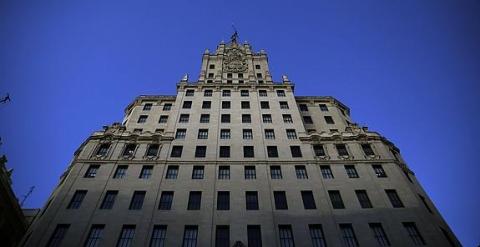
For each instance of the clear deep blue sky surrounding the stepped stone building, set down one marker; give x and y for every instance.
(409, 69)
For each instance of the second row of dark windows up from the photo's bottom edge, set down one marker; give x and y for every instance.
(223, 200)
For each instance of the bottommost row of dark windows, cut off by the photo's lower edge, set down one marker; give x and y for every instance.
(254, 235)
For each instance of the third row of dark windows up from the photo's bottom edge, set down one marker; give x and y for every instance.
(224, 172)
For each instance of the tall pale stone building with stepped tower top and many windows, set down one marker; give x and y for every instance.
(236, 159)
